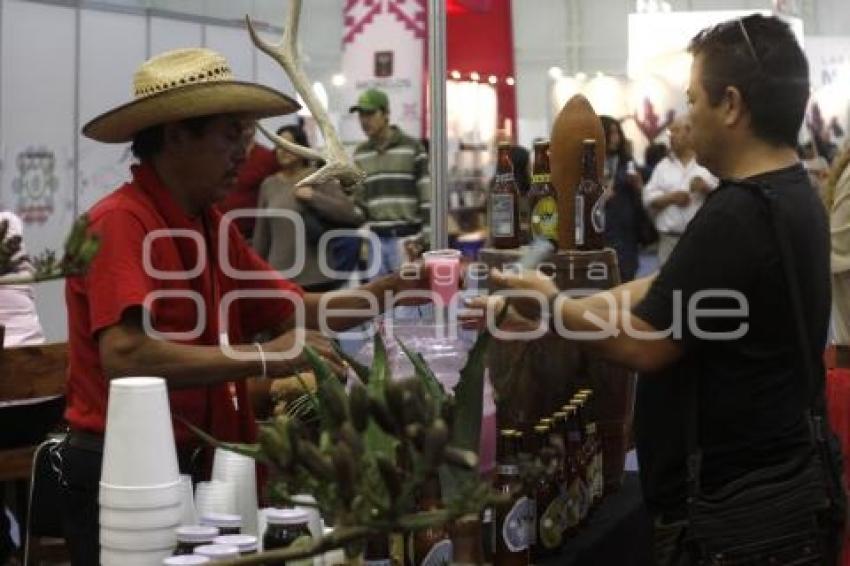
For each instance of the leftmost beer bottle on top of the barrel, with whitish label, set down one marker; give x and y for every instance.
(504, 203)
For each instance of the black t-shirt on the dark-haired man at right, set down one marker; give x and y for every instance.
(750, 389)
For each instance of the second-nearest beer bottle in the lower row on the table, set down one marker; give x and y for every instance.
(546, 495)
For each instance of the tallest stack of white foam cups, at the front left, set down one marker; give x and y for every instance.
(140, 492)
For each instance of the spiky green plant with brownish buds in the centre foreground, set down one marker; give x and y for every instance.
(376, 446)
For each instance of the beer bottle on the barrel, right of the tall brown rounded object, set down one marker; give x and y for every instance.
(589, 206)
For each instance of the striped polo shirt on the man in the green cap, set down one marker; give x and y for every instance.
(397, 189)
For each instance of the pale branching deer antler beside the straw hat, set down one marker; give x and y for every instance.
(338, 165)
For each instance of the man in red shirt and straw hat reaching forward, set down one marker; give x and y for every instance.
(175, 291)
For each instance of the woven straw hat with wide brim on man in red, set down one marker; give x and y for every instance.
(185, 83)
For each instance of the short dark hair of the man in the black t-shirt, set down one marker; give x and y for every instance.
(760, 57)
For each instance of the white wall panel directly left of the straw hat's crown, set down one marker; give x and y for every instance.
(112, 46)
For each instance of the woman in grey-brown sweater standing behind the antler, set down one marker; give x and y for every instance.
(321, 207)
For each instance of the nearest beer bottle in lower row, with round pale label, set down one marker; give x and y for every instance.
(511, 517)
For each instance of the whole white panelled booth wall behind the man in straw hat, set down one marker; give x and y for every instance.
(61, 66)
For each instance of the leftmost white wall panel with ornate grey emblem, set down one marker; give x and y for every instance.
(38, 121)
